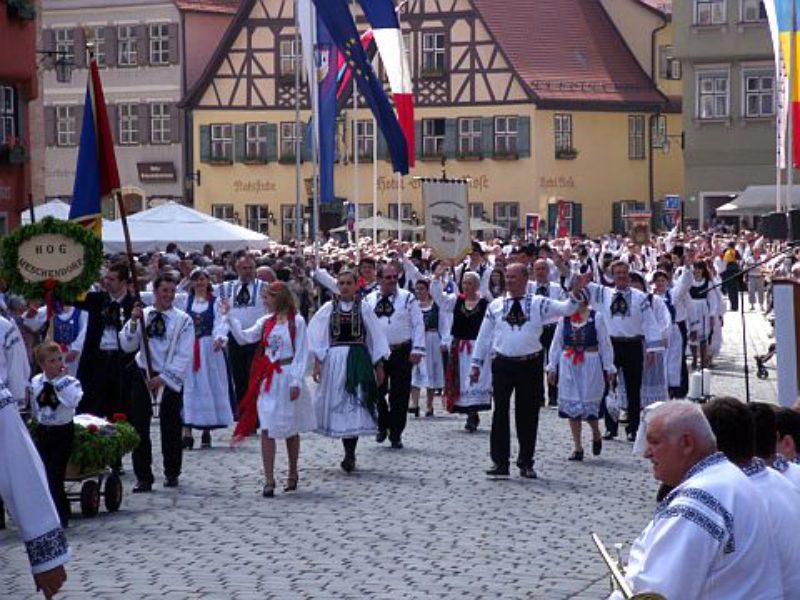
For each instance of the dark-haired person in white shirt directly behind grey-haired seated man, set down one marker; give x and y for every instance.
(734, 427)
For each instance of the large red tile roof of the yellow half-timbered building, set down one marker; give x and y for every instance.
(569, 54)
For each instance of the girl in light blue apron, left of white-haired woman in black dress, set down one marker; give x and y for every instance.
(429, 373)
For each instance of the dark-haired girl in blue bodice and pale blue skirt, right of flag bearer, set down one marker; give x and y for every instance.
(206, 391)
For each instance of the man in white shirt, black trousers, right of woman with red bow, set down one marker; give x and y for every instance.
(632, 326)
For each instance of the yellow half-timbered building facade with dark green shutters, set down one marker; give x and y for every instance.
(522, 146)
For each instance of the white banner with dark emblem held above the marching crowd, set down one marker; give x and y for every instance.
(447, 217)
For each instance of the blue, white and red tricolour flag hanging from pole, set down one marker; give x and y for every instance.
(382, 16)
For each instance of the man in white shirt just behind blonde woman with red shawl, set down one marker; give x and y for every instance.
(244, 297)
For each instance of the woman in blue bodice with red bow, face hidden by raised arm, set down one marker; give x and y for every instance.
(582, 360)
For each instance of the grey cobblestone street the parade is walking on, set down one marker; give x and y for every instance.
(422, 522)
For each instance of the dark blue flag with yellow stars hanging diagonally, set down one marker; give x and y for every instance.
(335, 14)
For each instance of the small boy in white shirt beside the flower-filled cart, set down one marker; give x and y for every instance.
(54, 396)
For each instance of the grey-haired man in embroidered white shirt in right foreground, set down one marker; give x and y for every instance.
(710, 537)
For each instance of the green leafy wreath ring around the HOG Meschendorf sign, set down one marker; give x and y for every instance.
(66, 292)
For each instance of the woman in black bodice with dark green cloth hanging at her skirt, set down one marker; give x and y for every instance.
(349, 346)
